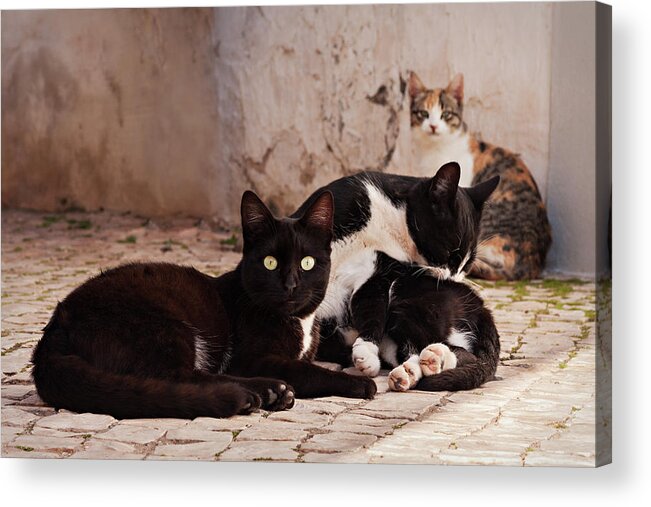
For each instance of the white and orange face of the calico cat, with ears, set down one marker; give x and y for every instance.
(436, 113)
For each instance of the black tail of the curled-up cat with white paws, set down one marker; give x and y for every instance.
(472, 370)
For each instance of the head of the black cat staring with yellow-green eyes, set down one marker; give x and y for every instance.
(286, 262)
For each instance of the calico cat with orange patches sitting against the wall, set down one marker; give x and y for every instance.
(515, 232)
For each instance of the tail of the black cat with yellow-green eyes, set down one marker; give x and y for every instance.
(68, 381)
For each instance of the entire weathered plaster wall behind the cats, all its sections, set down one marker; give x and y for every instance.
(163, 111)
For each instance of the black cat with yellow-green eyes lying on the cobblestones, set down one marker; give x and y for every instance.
(161, 340)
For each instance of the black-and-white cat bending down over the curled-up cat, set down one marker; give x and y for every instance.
(428, 221)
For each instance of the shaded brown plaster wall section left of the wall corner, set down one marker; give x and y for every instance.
(109, 108)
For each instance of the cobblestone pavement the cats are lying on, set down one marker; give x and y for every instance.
(540, 411)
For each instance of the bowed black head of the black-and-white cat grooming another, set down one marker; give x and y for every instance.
(443, 220)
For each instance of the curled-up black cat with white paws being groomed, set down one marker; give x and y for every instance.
(436, 334)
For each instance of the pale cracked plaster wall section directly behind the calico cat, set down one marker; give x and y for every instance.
(295, 85)
